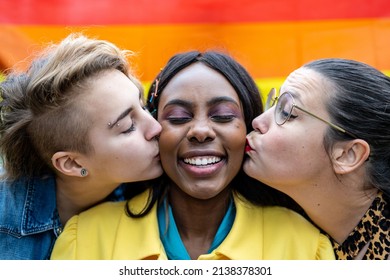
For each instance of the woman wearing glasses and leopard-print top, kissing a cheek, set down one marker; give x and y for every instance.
(325, 142)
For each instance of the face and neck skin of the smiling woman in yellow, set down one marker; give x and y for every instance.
(202, 119)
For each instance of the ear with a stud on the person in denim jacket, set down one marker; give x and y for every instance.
(66, 163)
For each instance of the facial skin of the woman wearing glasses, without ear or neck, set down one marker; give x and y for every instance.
(293, 142)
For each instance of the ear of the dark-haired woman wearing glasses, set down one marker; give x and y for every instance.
(348, 156)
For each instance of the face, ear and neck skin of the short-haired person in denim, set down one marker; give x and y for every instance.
(123, 137)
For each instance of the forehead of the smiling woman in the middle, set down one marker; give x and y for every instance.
(198, 81)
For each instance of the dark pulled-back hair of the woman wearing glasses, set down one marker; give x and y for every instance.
(360, 103)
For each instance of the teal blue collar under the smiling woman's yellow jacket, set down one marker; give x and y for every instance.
(170, 236)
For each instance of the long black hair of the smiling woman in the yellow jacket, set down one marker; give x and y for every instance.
(249, 95)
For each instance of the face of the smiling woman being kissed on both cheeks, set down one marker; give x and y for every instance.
(203, 131)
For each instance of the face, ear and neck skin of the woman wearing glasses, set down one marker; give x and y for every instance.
(330, 185)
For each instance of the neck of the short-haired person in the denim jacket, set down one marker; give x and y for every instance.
(75, 195)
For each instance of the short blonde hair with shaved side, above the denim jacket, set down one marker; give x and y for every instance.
(38, 112)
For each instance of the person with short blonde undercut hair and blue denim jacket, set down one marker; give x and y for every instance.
(73, 129)
